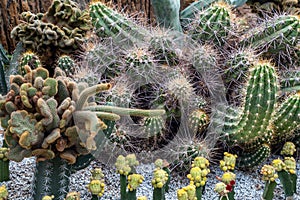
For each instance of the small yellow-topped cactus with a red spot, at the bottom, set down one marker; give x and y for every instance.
(225, 188)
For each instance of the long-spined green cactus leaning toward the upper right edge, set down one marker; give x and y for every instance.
(275, 35)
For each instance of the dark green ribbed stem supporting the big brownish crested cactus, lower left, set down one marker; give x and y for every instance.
(51, 178)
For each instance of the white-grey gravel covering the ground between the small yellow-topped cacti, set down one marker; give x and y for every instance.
(249, 185)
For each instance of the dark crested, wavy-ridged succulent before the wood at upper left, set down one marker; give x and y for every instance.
(61, 29)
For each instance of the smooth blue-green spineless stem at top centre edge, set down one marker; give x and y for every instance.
(167, 13)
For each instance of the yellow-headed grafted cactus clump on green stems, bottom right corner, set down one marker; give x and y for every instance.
(284, 170)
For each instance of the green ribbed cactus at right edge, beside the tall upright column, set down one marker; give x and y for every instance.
(287, 117)
